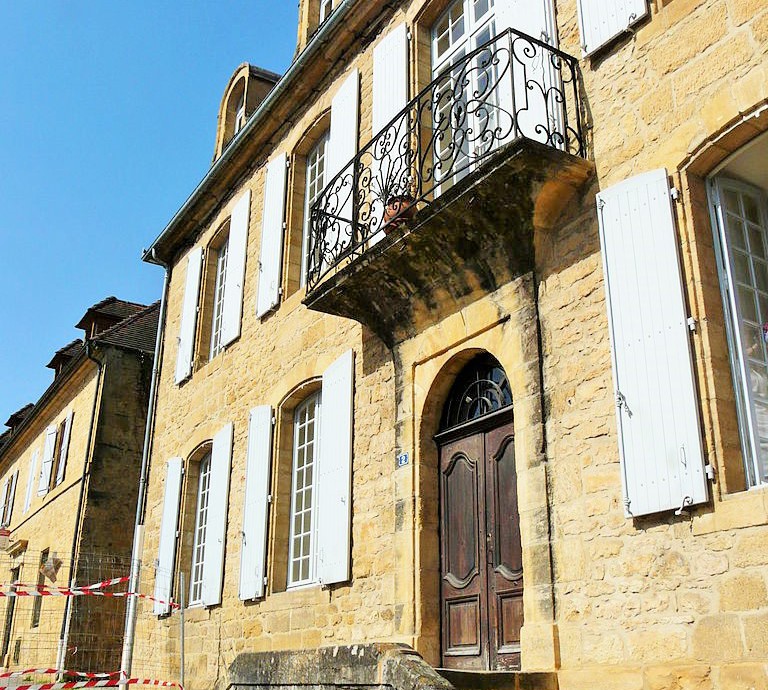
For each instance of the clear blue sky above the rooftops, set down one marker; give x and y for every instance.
(107, 122)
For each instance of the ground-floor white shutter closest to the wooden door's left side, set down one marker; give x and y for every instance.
(335, 471)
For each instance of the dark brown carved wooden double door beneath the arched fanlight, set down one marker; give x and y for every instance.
(481, 571)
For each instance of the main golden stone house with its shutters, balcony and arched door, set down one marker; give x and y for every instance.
(464, 350)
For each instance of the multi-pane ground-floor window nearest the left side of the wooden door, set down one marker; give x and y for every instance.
(301, 561)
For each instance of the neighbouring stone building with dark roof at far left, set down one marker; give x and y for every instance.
(69, 472)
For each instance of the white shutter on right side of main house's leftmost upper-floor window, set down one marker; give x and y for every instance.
(235, 275)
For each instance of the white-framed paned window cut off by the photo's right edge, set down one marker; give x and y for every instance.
(741, 220)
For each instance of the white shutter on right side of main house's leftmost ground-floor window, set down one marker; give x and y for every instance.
(216, 528)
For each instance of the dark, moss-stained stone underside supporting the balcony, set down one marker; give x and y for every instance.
(476, 237)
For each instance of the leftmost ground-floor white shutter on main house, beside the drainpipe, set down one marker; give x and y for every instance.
(166, 556)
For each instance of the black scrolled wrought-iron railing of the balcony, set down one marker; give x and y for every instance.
(513, 86)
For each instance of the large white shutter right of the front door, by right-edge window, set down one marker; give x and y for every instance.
(657, 414)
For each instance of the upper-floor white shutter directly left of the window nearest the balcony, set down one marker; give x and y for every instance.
(271, 260)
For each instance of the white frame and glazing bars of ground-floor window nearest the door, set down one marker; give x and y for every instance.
(309, 532)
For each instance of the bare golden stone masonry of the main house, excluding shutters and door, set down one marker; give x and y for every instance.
(661, 602)
